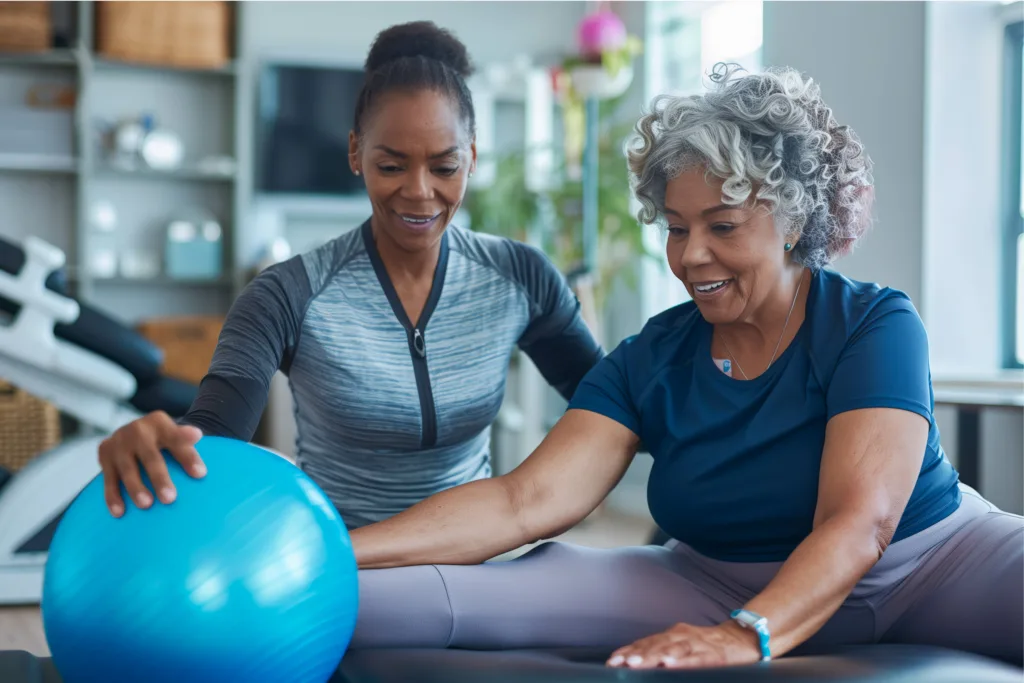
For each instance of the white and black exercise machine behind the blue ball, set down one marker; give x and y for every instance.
(95, 370)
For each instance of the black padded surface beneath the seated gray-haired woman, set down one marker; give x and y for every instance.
(875, 664)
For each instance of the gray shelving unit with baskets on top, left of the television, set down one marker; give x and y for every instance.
(53, 197)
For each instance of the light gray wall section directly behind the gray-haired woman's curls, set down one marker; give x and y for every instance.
(870, 60)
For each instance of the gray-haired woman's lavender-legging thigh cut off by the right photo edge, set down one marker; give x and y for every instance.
(968, 594)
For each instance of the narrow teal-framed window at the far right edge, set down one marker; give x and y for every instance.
(1013, 252)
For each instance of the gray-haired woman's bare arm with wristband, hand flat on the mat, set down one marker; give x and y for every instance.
(871, 464)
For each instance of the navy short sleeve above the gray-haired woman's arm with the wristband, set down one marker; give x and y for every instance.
(885, 364)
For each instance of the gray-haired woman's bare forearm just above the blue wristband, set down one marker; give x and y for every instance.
(816, 580)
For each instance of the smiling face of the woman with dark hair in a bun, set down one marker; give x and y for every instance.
(416, 155)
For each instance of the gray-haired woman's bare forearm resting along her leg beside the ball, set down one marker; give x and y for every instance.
(467, 525)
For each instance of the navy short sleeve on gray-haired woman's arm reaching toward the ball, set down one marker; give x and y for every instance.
(606, 390)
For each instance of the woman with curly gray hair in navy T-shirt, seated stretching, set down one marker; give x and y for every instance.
(797, 463)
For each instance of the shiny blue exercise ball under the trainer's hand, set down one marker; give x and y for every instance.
(249, 576)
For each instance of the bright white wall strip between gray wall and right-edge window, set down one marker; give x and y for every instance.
(963, 218)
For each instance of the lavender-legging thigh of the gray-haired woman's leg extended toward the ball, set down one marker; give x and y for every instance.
(561, 595)
